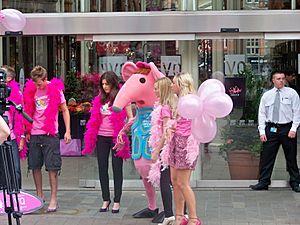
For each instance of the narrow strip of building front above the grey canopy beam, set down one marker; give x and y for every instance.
(51, 6)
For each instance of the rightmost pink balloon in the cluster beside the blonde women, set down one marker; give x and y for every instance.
(218, 105)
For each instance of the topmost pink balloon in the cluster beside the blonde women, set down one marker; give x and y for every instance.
(209, 87)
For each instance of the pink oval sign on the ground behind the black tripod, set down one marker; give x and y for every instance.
(28, 203)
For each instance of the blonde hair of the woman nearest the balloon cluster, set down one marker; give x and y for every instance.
(185, 83)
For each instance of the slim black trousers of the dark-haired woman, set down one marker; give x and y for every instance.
(104, 147)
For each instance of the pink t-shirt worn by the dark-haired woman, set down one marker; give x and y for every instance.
(106, 128)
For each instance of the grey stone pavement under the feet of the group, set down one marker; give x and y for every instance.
(214, 207)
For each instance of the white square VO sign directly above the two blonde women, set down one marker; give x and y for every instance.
(170, 65)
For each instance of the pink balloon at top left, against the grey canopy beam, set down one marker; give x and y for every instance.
(13, 20)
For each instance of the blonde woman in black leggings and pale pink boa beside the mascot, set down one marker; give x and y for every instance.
(160, 118)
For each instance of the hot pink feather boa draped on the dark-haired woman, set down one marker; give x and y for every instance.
(90, 136)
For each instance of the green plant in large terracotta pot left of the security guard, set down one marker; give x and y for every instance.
(242, 145)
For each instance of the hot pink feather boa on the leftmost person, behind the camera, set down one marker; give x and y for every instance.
(16, 97)
